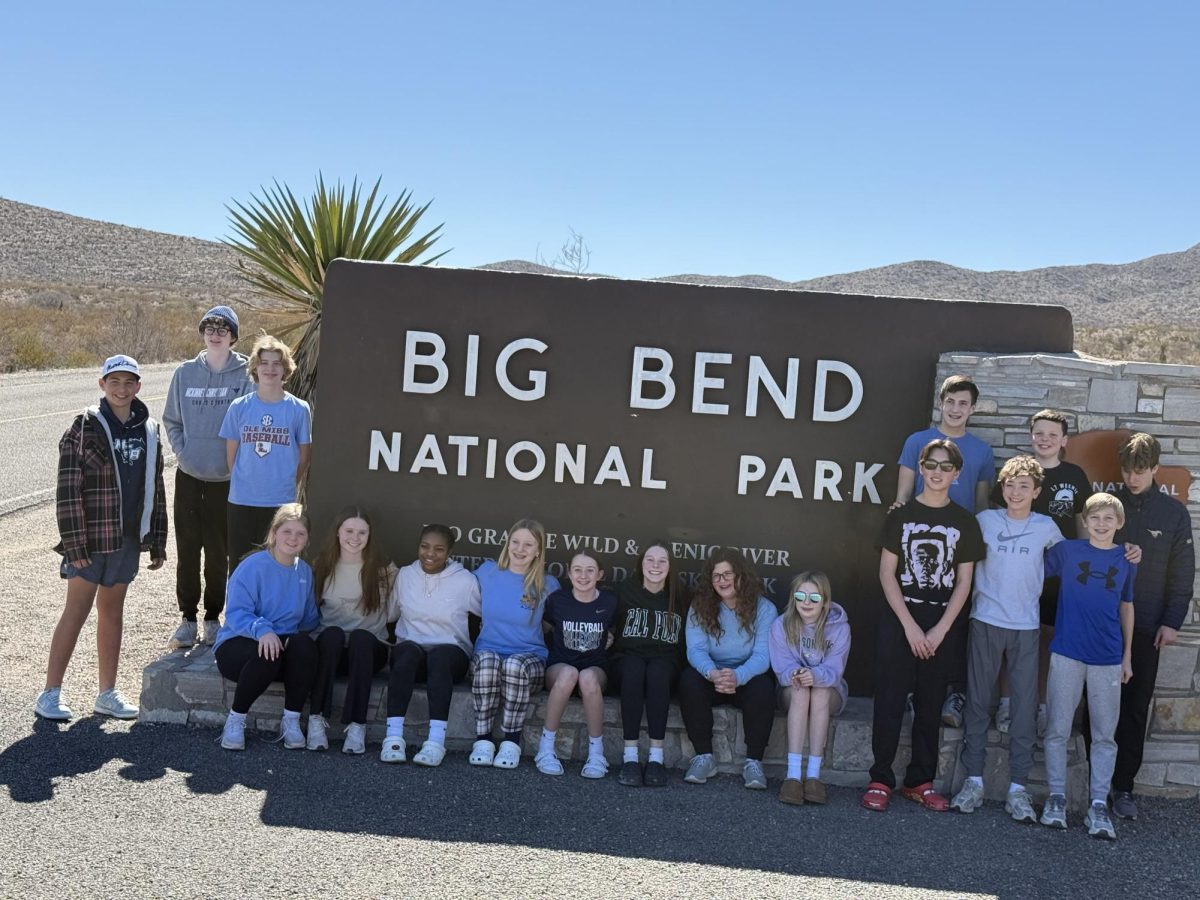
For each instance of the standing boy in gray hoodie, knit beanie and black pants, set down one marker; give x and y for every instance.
(201, 393)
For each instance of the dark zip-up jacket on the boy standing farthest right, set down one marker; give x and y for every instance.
(1162, 527)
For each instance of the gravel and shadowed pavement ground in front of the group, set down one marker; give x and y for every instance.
(100, 808)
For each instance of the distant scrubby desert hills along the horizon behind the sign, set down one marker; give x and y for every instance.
(43, 249)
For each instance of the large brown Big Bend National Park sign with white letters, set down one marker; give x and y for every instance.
(616, 412)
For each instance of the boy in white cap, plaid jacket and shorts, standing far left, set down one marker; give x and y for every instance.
(111, 507)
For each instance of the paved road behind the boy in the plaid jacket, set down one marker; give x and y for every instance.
(35, 410)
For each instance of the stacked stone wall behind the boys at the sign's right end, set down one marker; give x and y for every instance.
(1102, 395)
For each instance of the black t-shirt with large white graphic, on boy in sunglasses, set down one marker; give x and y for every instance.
(929, 544)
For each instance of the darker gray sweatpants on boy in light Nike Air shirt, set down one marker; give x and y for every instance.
(987, 647)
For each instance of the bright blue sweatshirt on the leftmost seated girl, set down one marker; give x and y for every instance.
(265, 596)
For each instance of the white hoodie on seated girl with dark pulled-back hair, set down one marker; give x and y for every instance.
(434, 608)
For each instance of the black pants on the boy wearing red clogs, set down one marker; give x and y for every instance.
(898, 673)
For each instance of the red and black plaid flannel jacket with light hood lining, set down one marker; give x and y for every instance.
(89, 499)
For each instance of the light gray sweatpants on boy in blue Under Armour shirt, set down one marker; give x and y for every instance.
(1065, 687)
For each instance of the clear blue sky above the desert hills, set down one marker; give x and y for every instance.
(790, 140)
